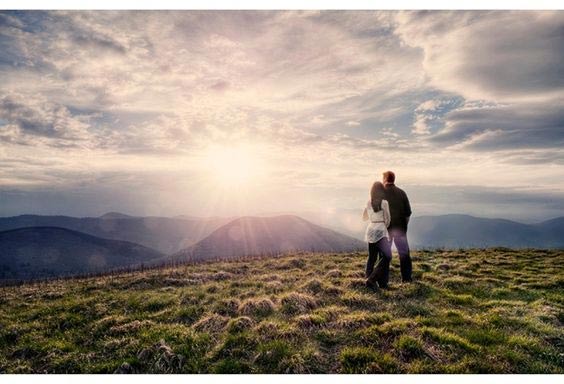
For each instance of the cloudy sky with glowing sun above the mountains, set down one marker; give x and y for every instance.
(221, 113)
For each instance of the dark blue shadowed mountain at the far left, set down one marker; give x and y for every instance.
(41, 252)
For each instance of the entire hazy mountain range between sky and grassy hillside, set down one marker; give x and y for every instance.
(33, 246)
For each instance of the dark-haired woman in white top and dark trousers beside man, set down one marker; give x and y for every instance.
(377, 212)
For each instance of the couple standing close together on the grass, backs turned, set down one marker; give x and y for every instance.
(388, 213)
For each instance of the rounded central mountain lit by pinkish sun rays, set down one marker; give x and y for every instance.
(248, 236)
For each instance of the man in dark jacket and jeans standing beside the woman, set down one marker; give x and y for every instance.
(400, 211)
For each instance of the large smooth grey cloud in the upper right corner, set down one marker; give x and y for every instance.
(499, 55)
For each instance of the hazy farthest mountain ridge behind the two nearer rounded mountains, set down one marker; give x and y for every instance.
(171, 235)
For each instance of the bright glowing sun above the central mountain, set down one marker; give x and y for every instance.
(238, 165)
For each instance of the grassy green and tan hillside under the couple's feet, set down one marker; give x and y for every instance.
(468, 311)
